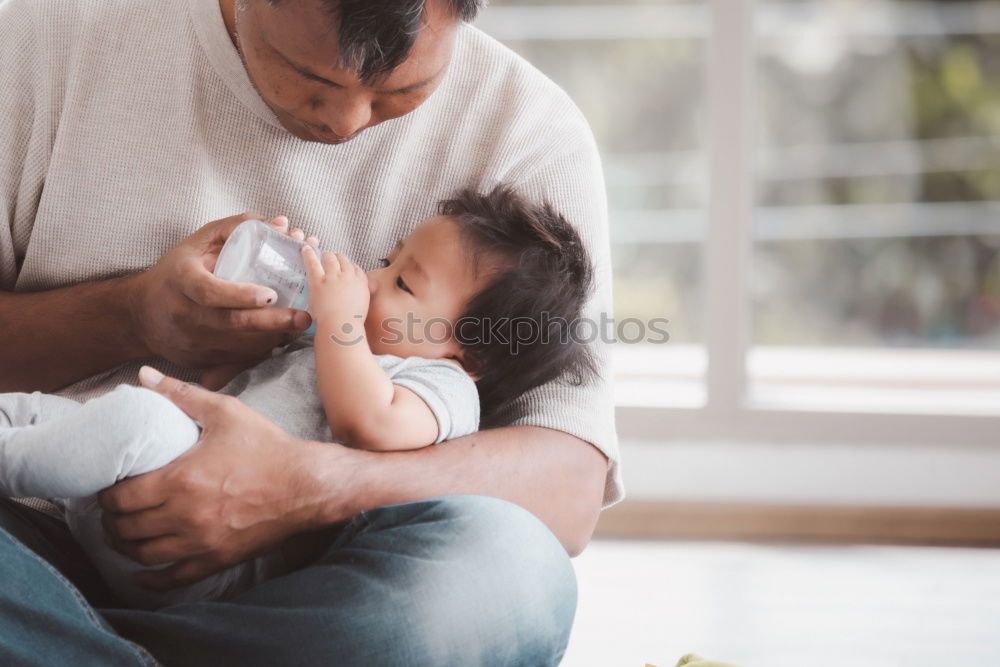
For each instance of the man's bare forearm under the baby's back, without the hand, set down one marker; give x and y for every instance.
(556, 476)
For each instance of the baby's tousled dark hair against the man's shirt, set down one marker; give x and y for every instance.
(541, 279)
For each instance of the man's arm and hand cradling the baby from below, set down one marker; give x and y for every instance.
(248, 485)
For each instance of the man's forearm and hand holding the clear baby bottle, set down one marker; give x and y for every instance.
(176, 309)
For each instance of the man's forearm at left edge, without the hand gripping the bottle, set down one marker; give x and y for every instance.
(54, 338)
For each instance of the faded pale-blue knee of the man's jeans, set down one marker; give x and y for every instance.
(488, 581)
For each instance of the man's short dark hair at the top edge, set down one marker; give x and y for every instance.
(376, 35)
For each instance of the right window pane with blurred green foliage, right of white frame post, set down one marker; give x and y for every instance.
(876, 256)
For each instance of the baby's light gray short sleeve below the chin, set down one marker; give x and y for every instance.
(447, 390)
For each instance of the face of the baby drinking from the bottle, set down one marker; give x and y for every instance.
(421, 291)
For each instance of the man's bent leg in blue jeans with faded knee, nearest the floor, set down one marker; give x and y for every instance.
(453, 580)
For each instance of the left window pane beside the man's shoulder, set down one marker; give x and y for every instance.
(636, 69)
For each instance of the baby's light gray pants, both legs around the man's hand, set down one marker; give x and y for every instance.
(54, 447)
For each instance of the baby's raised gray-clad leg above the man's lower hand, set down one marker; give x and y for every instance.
(55, 447)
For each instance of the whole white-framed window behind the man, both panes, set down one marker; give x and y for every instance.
(808, 191)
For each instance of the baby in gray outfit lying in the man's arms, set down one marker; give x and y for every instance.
(421, 350)
